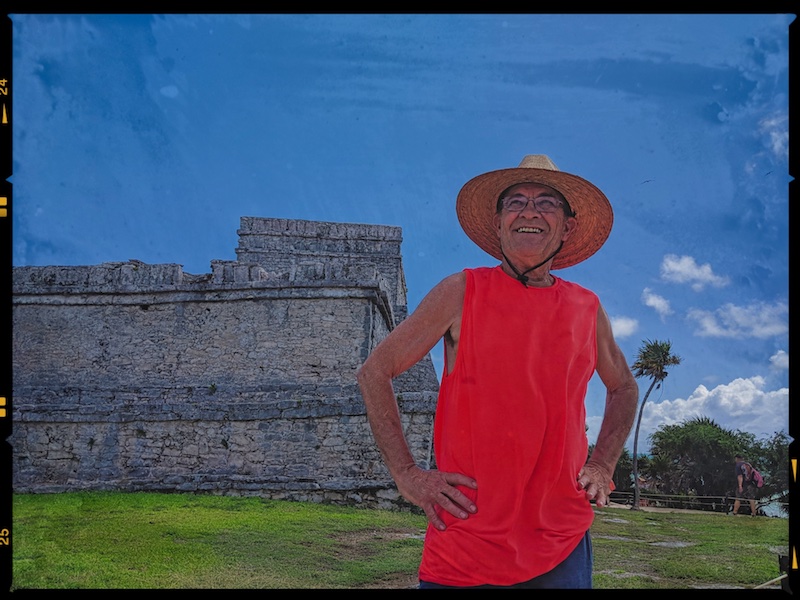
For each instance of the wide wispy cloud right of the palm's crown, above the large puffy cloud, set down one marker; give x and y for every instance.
(759, 320)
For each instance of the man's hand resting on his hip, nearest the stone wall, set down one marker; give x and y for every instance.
(430, 489)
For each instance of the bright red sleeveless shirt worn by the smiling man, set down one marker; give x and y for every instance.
(511, 414)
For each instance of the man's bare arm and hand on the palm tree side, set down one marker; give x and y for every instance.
(622, 398)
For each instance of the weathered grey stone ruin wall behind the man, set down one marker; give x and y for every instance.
(133, 376)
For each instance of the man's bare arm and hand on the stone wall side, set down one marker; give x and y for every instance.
(405, 346)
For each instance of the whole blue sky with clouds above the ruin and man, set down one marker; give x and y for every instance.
(149, 137)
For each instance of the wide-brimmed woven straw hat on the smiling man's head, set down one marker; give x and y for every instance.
(477, 201)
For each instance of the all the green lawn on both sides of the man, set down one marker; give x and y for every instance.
(105, 540)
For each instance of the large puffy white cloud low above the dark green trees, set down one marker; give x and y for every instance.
(742, 404)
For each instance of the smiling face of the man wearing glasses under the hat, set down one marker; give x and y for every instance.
(529, 235)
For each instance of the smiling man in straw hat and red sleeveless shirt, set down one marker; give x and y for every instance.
(509, 502)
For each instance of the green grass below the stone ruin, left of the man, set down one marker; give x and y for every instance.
(113, 540)
